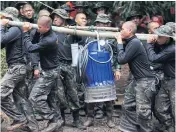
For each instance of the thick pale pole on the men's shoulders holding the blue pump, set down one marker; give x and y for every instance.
(65, 30)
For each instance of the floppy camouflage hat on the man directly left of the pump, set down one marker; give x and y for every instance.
(60, 12)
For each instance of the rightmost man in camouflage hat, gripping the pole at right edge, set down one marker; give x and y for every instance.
(165, 99)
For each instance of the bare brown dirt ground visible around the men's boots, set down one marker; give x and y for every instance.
(99, 124)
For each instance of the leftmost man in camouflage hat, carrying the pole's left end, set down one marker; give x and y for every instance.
(14, 100)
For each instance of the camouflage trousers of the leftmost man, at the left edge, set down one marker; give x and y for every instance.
(14, 100)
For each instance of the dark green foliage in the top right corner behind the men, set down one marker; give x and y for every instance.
(148, 8)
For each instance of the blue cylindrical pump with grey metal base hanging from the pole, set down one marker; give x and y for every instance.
(100, 84)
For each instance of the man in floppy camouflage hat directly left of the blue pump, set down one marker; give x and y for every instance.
(68, 94)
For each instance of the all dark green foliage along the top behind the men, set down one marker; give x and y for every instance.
(146, 7)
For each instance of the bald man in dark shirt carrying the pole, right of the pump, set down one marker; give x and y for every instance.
(137, 106)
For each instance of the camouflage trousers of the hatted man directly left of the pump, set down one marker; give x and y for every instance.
(69, 91)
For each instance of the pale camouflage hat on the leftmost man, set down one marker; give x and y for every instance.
(10, 12)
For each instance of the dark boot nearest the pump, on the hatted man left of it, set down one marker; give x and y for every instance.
(76, 121)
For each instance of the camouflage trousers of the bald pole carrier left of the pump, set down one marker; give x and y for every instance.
(40, 92)
